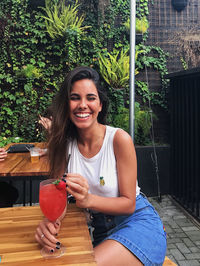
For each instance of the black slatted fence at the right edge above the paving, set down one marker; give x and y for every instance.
(185, 139)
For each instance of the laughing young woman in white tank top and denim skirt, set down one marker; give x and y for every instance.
(102, 177)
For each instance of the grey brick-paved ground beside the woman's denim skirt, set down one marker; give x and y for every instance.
(183, 233)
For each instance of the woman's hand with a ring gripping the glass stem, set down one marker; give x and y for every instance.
(46, 233)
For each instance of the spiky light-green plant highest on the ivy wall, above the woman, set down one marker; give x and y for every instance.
(61, 18)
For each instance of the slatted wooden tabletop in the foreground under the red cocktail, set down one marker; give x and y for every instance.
(18, 245)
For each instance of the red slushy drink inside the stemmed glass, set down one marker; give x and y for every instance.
(52, 201)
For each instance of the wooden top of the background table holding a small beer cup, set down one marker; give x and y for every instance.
(19, 164)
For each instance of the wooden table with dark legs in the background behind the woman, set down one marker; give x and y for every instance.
(19, 166)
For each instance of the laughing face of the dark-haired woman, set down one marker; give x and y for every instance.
(85, 104)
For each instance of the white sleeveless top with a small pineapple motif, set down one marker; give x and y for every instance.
(100, 170)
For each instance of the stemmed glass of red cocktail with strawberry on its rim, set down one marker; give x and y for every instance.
(53, 200)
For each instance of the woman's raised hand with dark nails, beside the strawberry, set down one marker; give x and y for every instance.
(78, 187)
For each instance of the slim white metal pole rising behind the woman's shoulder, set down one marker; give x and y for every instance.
(132, 68)
